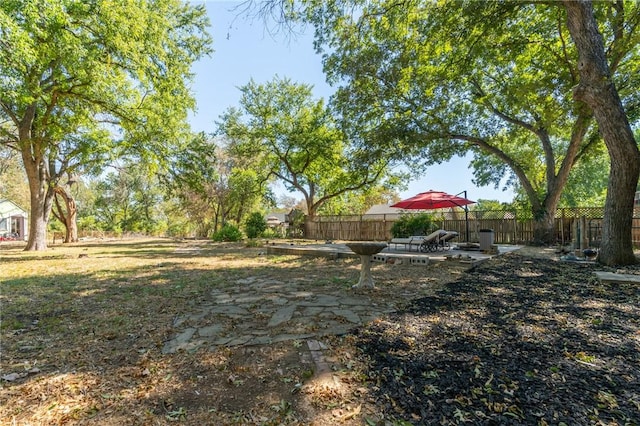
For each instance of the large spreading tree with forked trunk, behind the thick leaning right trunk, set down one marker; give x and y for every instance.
(494, 78)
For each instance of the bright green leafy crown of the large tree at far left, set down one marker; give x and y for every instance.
(126, 64)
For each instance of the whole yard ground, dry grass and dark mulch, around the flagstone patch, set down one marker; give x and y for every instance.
(444, 358)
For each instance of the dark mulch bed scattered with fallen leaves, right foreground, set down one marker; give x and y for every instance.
(517, 340)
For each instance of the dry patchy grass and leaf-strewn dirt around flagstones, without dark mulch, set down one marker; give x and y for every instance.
(82, 328)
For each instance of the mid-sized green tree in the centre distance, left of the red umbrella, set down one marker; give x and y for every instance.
(289, 135)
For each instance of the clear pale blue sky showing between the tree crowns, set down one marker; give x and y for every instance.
(244, 49)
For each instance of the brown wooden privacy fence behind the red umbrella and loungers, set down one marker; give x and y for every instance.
(509, 226)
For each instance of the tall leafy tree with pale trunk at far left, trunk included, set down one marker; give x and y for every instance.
(97, 73)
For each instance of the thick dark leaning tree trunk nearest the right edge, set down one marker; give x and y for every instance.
(597, 90)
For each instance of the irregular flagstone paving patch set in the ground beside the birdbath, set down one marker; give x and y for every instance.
(259, 311)
